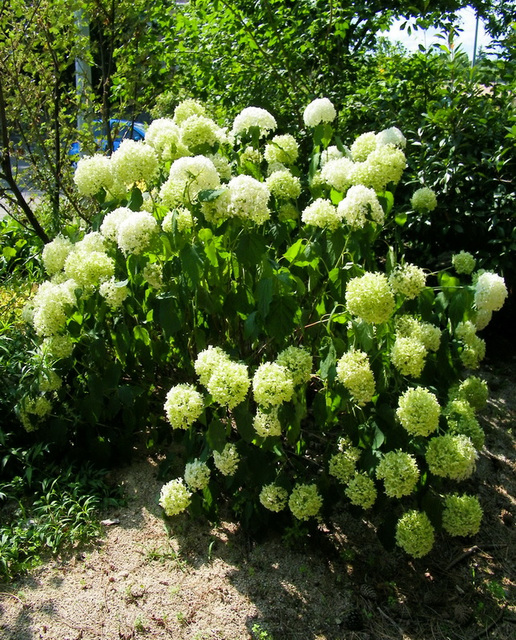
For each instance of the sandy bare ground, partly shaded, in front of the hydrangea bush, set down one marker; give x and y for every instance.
(194, 582)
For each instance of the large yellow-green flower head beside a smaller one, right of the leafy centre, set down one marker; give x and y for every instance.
(370, 298)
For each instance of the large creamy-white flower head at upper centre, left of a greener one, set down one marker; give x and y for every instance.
(248, 199)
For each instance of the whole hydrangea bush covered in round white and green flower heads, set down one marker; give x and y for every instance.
(242, 296)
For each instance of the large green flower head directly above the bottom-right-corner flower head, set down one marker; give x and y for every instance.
(451, 456)
